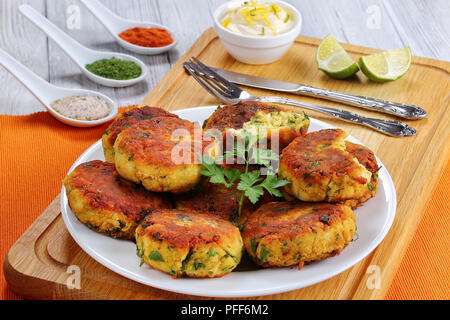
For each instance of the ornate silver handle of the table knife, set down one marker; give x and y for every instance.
(399, 109)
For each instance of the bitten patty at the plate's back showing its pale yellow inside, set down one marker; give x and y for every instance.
(259, 118)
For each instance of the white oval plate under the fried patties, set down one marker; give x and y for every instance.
(374, 220)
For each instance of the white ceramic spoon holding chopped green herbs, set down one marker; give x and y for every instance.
(79, 53)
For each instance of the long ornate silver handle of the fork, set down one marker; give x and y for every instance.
(390, 127)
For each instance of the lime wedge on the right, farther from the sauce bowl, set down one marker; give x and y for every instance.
(386, 66)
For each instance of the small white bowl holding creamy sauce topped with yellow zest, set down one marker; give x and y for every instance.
(256, 49)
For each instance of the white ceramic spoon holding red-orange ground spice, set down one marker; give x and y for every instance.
(117, 25)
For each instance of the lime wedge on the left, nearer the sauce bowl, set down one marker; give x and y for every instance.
(333, 60)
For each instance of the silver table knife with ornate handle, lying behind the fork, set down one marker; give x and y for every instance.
(401, 110)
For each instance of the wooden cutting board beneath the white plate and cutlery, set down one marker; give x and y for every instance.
(37, 265)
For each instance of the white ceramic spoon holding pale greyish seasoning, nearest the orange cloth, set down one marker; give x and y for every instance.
(47, 93)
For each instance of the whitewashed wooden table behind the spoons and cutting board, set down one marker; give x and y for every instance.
(424, 25)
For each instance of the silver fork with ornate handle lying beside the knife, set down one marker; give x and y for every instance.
(232, 94)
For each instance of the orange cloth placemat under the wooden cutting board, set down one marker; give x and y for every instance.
(36, 151)
